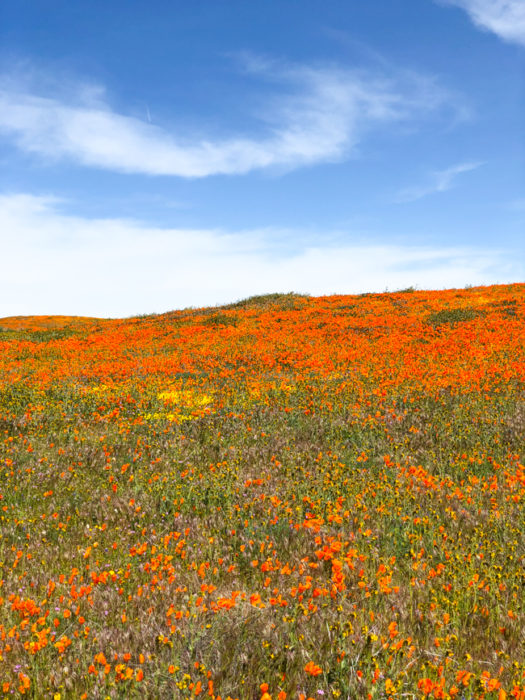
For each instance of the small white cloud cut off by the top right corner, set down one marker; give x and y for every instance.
(506, 18)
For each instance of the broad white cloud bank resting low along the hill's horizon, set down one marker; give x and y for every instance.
(63, 264)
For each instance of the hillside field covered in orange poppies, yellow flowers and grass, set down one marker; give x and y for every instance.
(286, 497)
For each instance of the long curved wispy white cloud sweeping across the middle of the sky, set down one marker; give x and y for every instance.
(317, 114)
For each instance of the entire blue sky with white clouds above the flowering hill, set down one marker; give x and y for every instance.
(158, 156)
